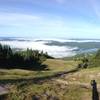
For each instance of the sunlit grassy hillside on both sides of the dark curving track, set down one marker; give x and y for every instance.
(53, 88)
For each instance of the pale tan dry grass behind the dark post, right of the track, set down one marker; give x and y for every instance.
(84, 76)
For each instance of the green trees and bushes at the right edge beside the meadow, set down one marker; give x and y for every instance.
(91, 60)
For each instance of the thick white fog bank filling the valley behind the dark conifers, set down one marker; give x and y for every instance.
(55, 51)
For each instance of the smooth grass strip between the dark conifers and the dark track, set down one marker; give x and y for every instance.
(54, 66)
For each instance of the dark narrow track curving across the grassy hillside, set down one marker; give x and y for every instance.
(37, 80)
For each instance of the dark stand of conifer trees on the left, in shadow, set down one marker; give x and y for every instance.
(28, 59)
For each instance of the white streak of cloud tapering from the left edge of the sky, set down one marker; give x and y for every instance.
(17, 19)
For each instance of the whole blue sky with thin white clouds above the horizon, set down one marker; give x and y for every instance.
(50, 18)
